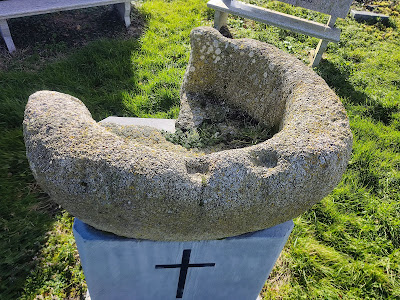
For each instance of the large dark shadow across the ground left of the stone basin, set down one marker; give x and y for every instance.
(88, 66)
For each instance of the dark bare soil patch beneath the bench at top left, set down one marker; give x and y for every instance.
(51, 35)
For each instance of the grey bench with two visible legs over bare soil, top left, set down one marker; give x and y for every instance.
(10, 9)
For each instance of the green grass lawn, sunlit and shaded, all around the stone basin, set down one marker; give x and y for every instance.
(345, 247)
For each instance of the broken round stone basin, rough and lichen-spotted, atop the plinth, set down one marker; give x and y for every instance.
(133, 187)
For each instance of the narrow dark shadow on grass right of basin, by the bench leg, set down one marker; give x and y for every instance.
(338, 79)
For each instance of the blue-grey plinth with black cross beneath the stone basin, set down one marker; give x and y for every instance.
(232, 268)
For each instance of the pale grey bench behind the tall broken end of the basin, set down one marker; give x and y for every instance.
(325, 32)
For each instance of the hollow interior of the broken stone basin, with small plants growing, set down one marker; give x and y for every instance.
(234, 91)
